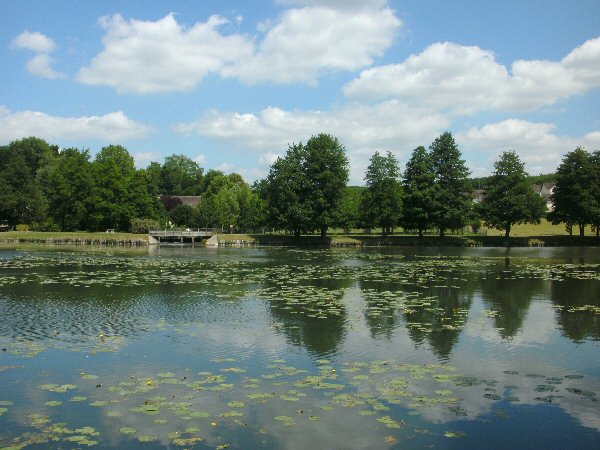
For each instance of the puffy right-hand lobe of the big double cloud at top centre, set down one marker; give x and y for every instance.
(308, 41)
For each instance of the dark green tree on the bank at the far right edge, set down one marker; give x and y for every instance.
(575, 195)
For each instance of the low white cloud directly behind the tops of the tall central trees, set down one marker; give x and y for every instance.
(363, 129)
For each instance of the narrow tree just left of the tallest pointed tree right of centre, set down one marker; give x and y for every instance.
(419, 191)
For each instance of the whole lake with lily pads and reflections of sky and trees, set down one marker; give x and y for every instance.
(272, 348)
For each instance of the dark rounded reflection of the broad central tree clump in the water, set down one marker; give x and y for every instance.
(309, 324)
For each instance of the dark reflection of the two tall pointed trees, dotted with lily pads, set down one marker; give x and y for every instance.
(441, 323)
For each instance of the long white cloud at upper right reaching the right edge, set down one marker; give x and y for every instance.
(468, 79)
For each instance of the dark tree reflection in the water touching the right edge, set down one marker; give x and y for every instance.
(571, 294)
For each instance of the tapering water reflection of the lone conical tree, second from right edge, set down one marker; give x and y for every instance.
(512, 299)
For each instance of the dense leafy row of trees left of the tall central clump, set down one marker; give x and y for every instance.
(49, 189)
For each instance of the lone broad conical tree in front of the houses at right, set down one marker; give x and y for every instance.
(509, 197)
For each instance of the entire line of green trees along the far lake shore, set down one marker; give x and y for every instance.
(305, 191)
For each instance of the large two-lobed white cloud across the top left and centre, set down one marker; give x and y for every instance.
(147, 57)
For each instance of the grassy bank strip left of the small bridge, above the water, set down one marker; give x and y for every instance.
(75, 238)
